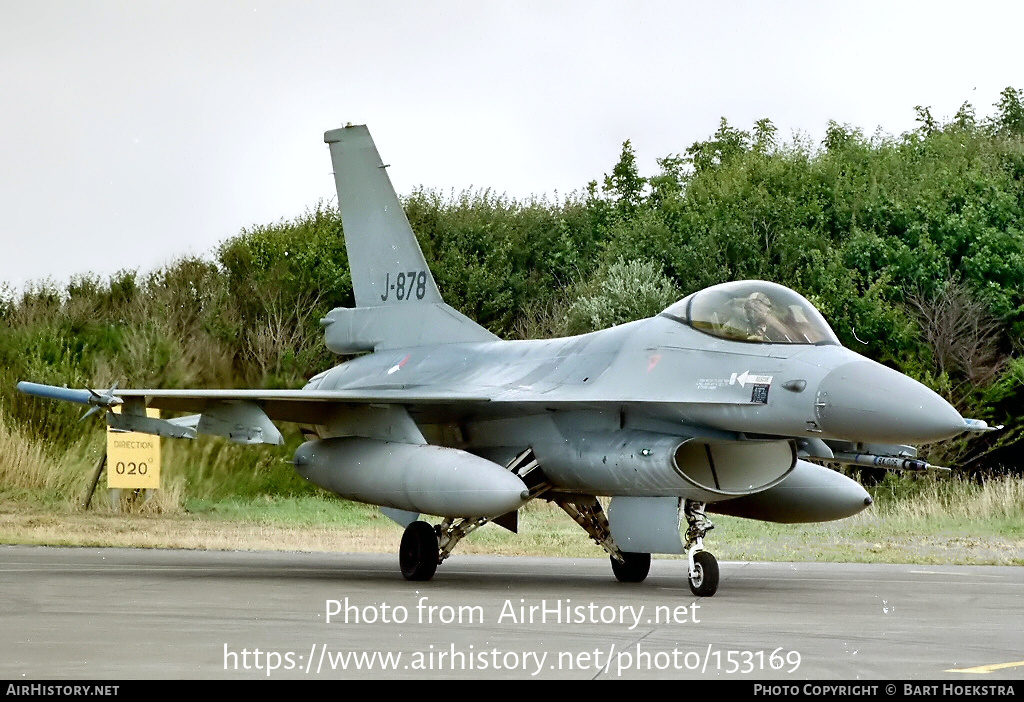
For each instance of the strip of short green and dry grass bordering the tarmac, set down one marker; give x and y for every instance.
(323, 523)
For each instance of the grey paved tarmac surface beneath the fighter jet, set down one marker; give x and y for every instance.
(121, 615)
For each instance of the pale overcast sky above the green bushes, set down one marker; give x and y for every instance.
(134, 134)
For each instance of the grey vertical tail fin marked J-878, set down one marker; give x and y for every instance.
(387, 262)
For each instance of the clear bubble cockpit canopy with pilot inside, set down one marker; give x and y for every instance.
(754, 312)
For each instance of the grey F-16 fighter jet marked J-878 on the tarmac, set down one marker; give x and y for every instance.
(713, 405)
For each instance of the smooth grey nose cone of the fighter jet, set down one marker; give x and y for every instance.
(867, 402)
